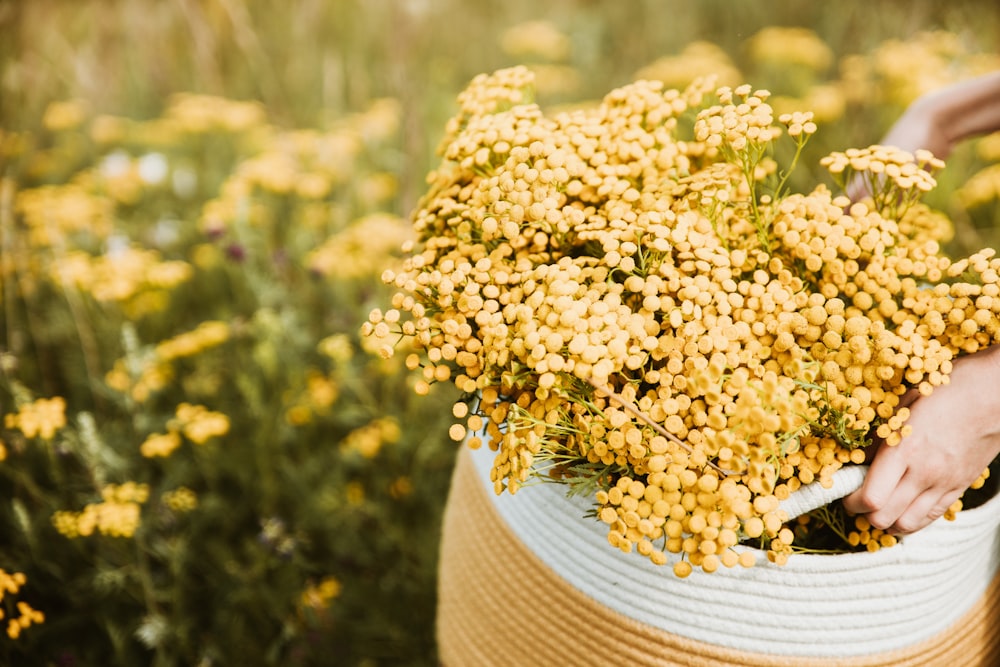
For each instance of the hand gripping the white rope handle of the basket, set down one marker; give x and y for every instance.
(955, 435)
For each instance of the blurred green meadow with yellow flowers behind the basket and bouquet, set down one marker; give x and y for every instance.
(200, 461)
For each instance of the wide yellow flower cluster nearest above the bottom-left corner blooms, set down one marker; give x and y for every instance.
(118, 515)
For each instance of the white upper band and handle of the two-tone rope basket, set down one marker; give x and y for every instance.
(824, 606)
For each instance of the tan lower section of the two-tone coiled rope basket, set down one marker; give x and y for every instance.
(499, 604)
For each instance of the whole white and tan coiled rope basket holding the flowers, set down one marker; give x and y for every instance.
(528, 580)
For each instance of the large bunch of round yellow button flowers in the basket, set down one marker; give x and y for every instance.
(633, 304)
